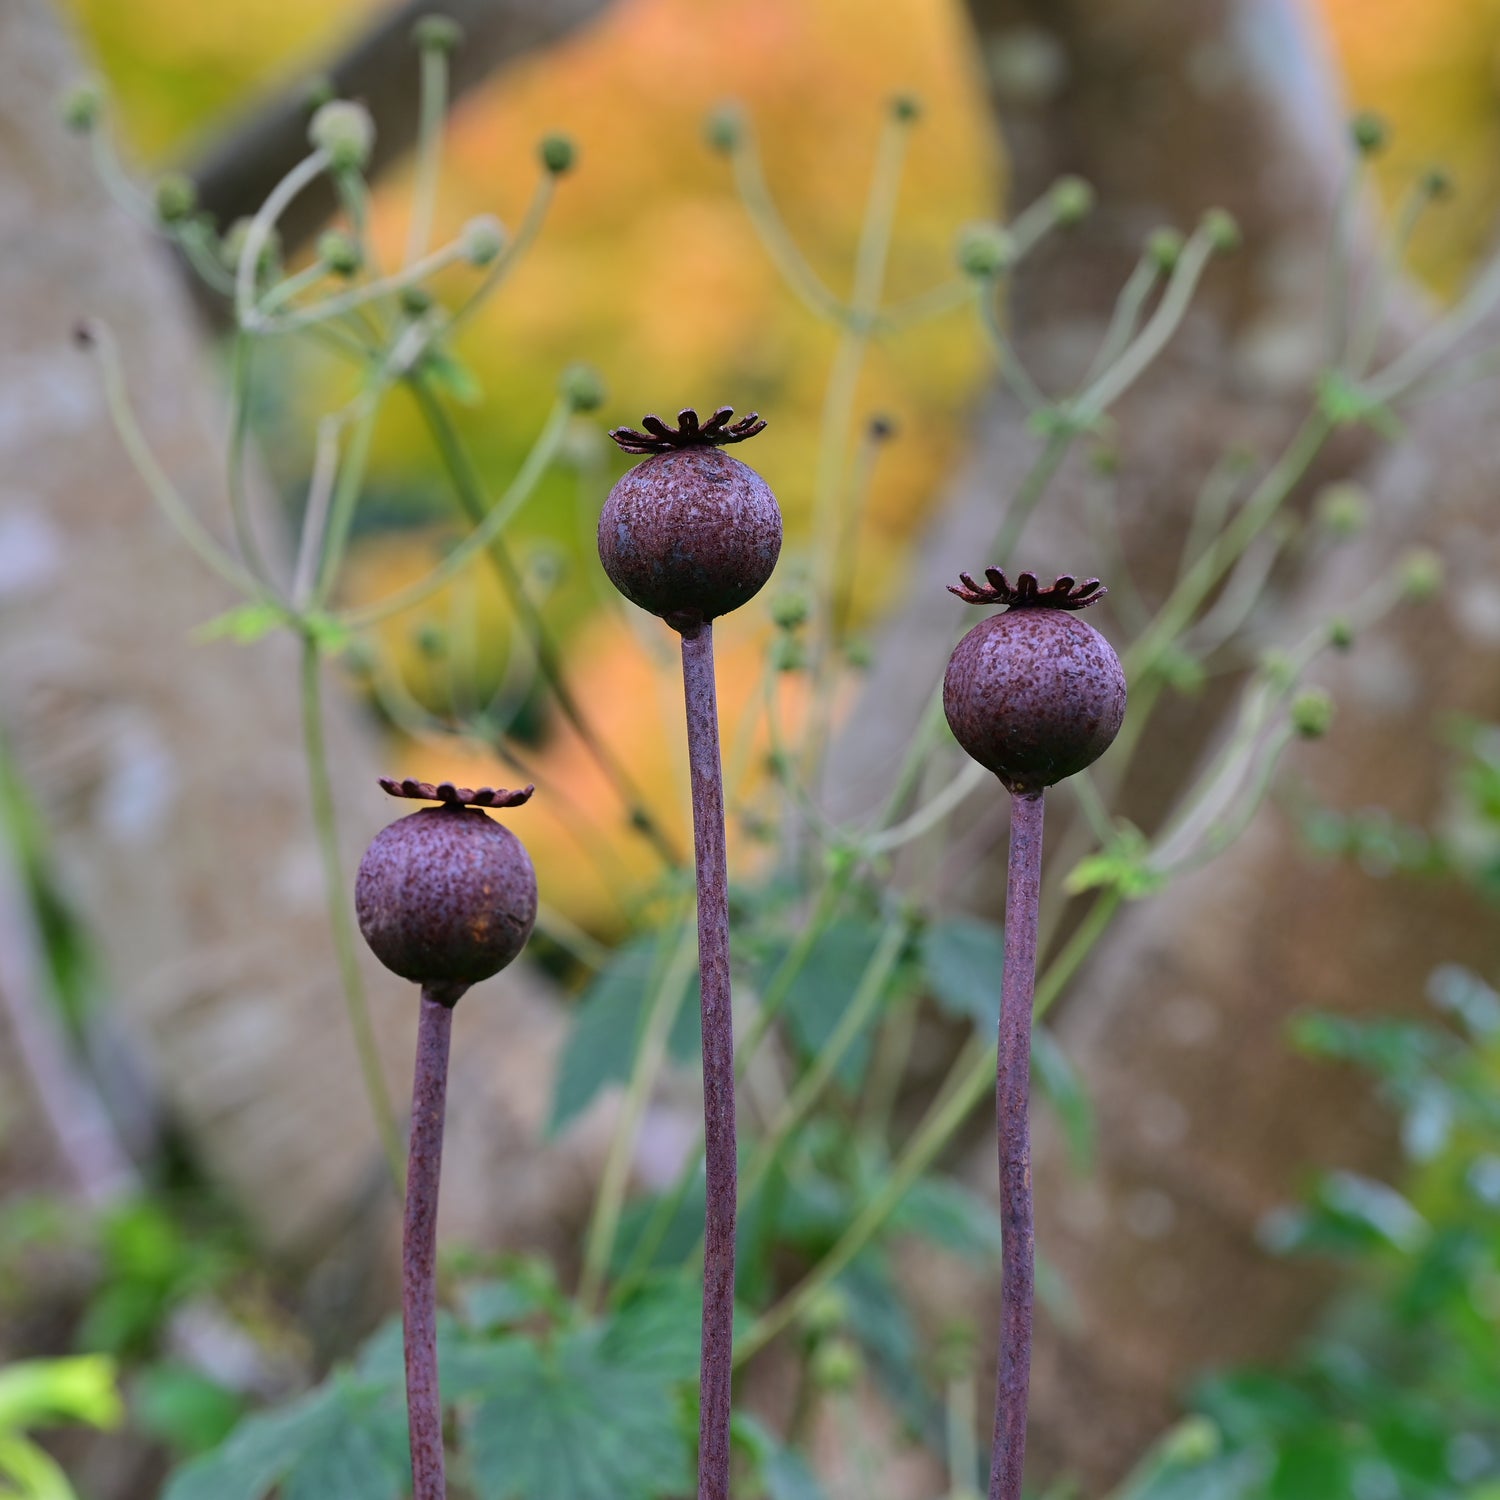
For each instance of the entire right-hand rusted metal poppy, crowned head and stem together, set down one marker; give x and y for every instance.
(1034, 695)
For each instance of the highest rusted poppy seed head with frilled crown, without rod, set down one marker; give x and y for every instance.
(691, 533)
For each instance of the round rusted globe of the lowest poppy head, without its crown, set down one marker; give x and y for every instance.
(446, 896)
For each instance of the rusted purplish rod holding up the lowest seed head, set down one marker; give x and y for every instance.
(419, 1246)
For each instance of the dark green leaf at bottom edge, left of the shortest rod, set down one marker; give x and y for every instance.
(346, 1441)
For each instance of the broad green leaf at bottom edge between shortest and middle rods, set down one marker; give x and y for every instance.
(569, 1424)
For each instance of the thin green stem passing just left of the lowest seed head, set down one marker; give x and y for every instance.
(356, 1003)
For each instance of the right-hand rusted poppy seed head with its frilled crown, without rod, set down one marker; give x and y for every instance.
(1036, 694)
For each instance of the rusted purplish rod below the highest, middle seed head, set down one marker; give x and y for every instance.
(716, 1367)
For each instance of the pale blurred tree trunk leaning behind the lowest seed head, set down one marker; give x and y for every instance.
(170, 773)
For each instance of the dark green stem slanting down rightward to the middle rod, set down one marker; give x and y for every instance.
(472, 499)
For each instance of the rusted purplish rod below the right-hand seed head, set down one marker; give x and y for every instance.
(1012, 1102)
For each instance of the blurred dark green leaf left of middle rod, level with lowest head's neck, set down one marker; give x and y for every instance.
(607, 1028)
